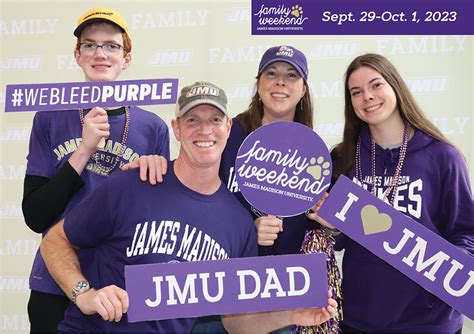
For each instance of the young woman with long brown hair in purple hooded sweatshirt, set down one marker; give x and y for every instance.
(388, 138)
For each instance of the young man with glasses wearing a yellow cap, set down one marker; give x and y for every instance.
(66, 161)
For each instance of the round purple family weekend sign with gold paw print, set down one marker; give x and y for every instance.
(283, 168)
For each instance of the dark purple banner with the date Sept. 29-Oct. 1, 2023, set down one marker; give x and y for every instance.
(362, 17)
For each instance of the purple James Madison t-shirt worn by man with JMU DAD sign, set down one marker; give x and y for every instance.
(131, 222)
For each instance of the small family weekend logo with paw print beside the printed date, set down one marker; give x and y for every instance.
(280, 17)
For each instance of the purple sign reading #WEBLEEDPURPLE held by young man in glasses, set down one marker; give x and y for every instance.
(82, 95)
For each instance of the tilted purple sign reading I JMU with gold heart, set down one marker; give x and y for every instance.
(420, 254)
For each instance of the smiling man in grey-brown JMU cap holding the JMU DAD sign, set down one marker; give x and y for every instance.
(191, 196)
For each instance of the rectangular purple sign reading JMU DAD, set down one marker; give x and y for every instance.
(192, 289)
